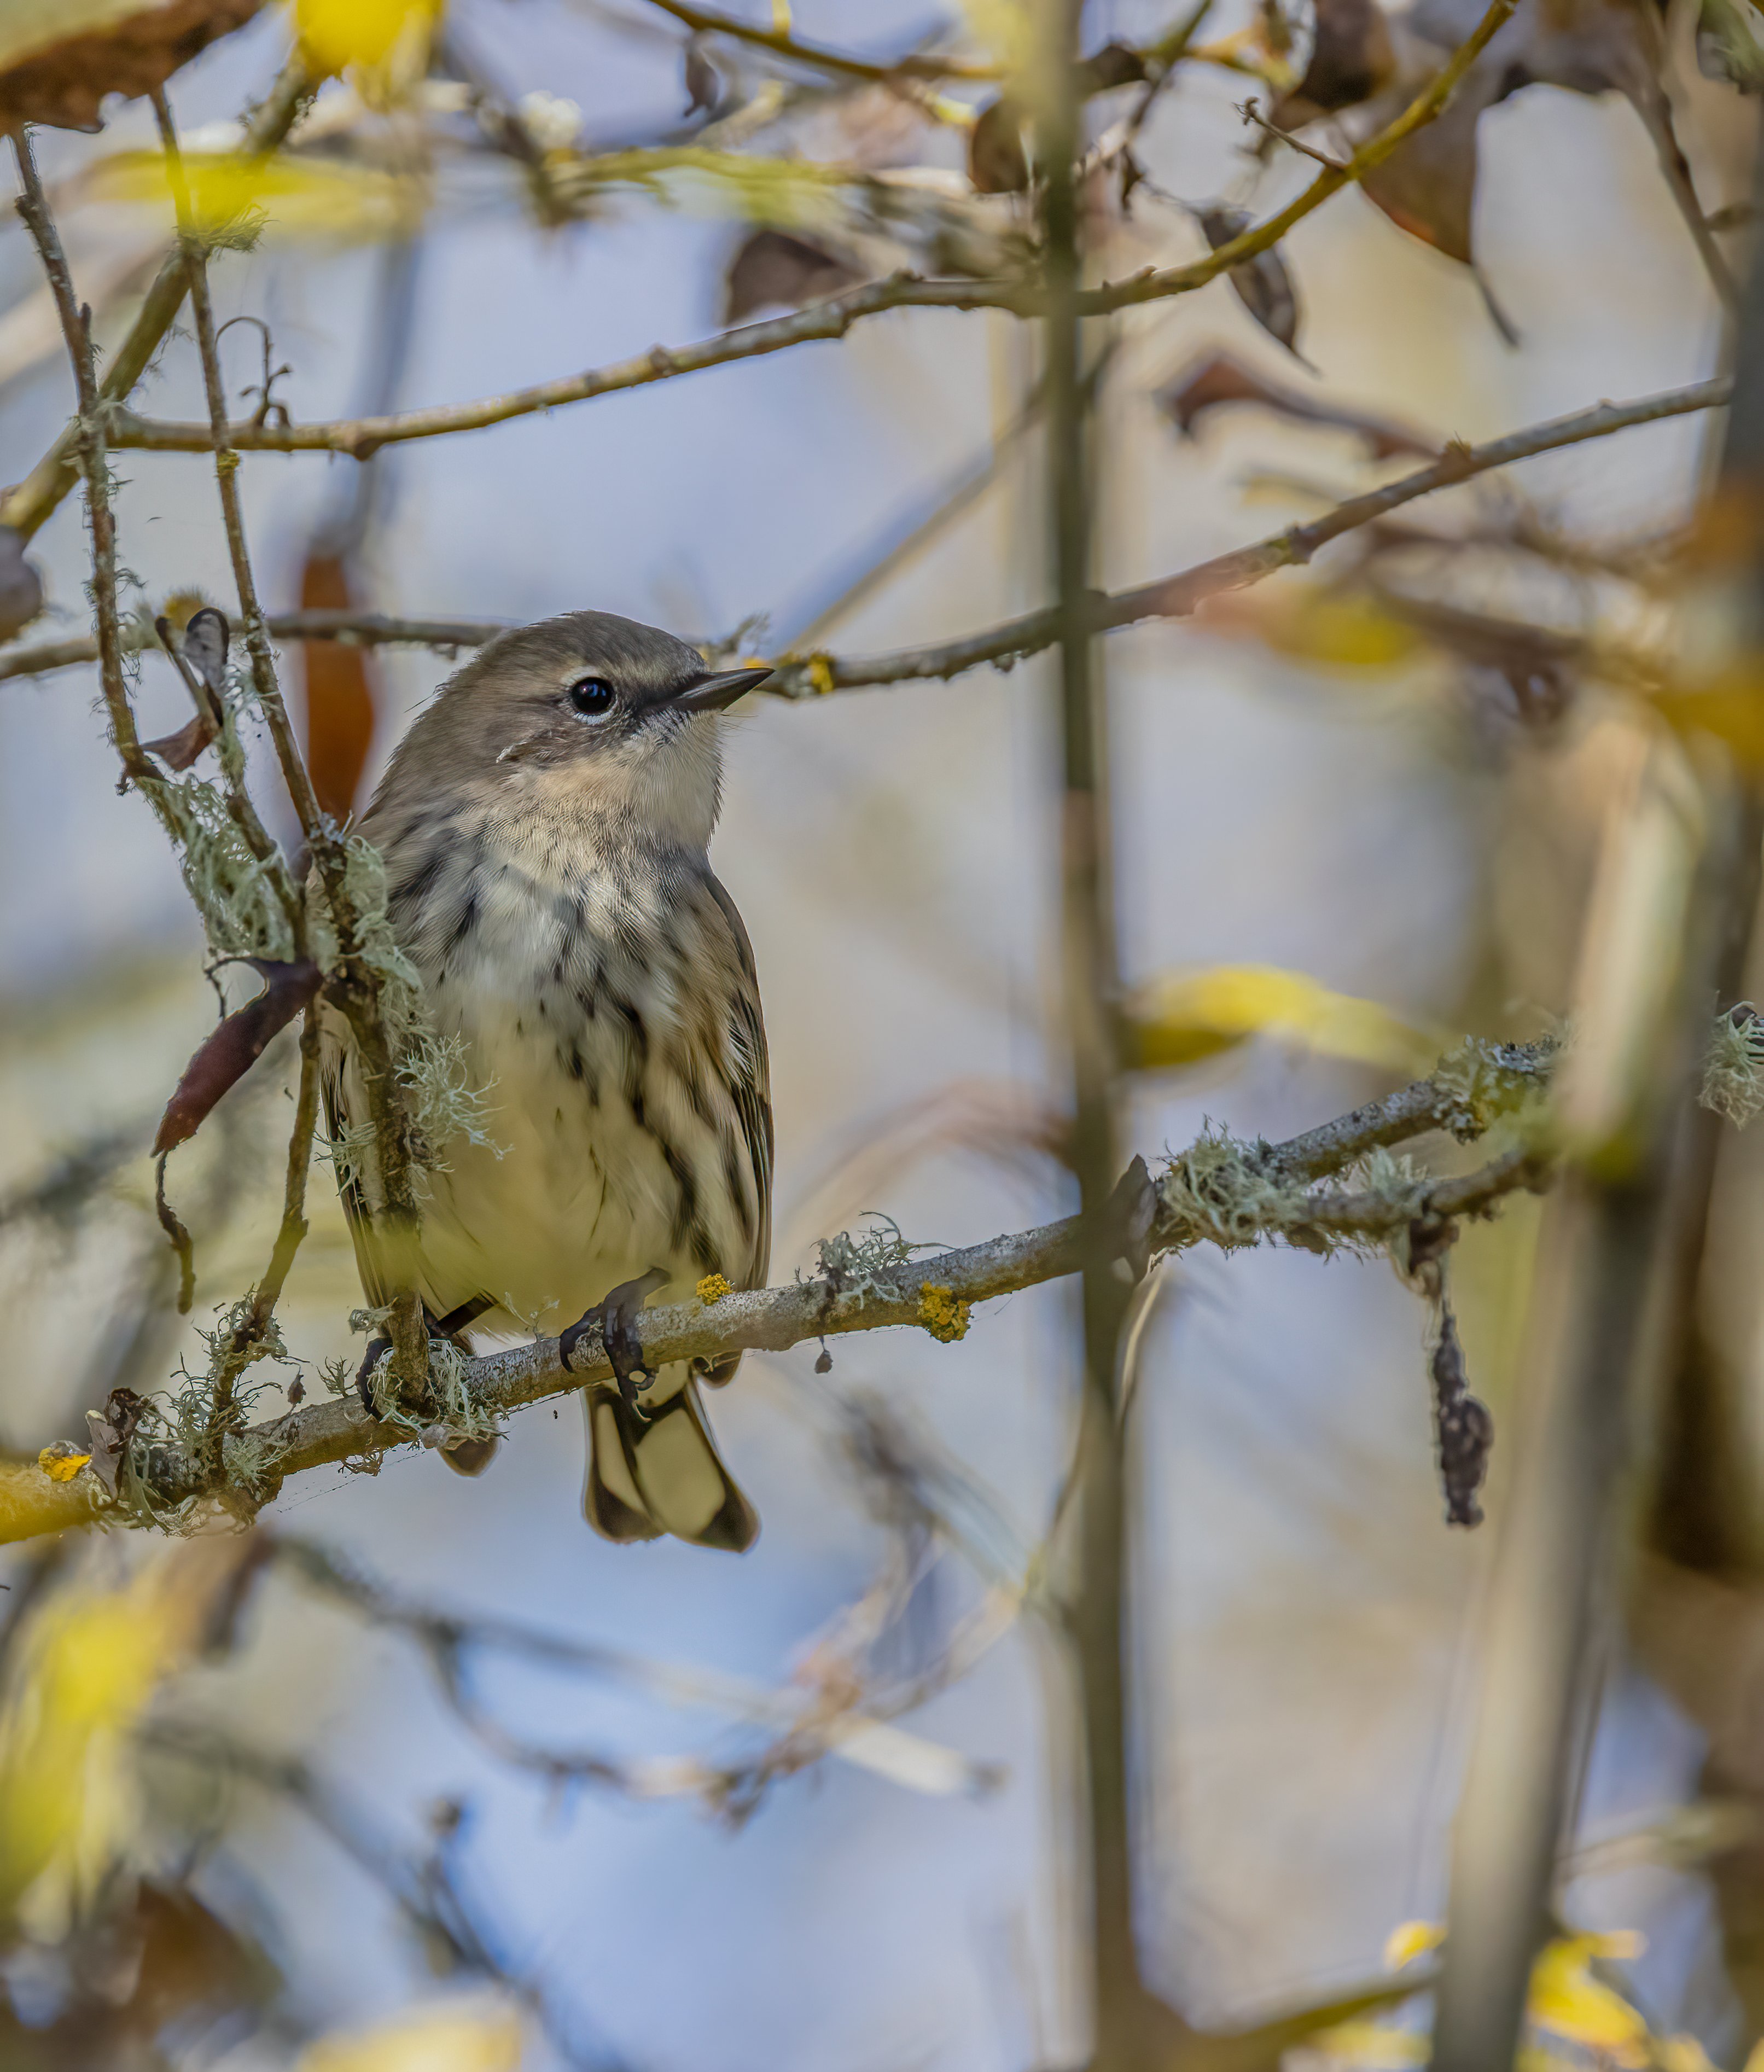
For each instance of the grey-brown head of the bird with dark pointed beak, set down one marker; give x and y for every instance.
(586, 712)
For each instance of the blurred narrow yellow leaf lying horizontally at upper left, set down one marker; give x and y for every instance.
(306, 198)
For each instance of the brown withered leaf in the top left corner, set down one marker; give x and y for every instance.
(61, 57)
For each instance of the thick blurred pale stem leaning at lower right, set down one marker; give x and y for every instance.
(1601, 1288)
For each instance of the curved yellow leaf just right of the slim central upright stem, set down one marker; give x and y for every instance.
(1189, 1016)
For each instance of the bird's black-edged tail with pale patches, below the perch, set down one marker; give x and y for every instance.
(658, 1470)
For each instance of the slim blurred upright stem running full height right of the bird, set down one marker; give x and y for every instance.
(1122, 2013)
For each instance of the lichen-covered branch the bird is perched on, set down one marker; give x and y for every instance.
(1218, 1192)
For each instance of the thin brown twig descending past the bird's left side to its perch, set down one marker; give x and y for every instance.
(355, 985)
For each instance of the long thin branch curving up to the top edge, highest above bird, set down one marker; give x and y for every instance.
(1025, 297)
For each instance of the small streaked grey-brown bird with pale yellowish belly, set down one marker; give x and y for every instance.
(546, 828)
